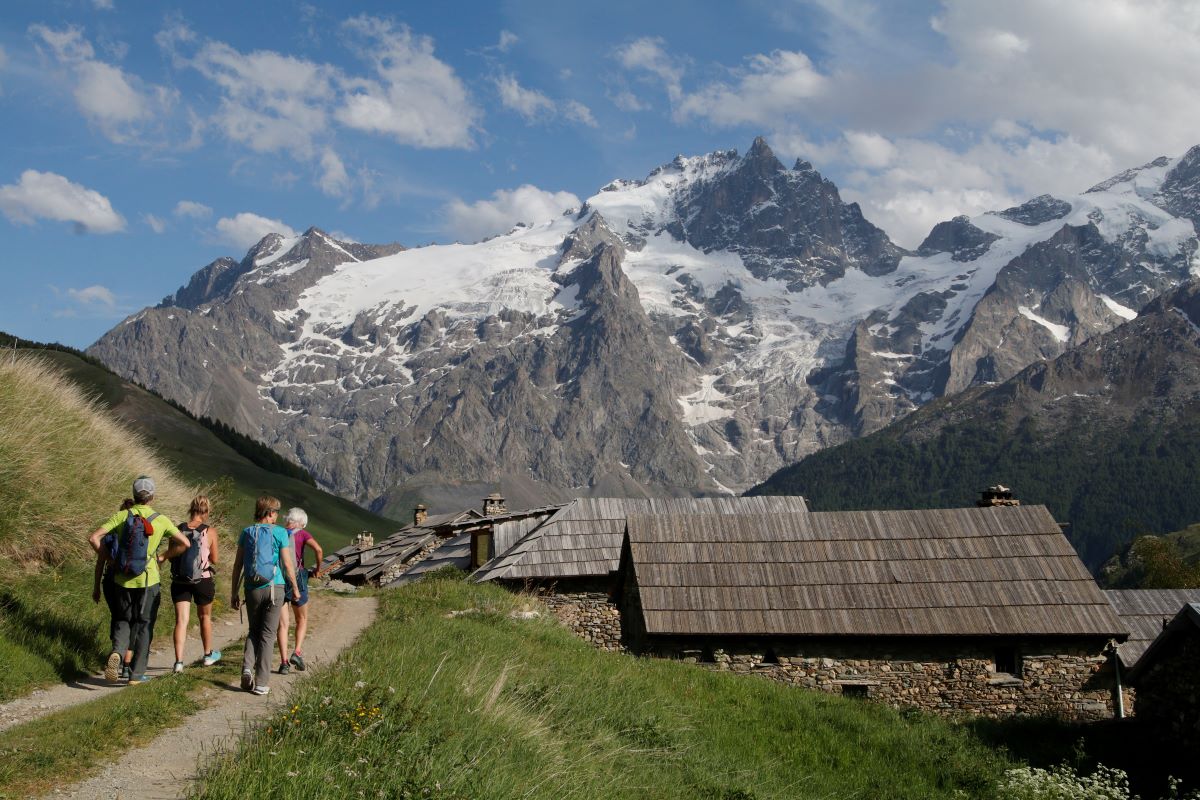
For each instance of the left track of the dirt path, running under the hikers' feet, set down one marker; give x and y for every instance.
(163, 659)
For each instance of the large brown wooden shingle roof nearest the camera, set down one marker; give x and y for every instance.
(934, 573)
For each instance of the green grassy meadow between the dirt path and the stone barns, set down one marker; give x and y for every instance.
(485, 706)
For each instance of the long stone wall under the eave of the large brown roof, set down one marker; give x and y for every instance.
(1065, 678)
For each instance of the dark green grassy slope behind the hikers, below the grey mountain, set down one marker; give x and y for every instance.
(199, 456)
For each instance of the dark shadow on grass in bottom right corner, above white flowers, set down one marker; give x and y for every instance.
(1125, 744)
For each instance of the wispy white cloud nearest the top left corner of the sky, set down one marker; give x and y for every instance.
(116, 101)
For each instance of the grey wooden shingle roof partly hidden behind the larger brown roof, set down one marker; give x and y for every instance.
(584, 538)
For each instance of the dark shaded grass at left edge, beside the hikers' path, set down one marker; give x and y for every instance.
(69, 645)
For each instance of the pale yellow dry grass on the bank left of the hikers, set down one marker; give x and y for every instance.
(65, 467)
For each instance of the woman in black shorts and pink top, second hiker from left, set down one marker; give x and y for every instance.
(200, 588)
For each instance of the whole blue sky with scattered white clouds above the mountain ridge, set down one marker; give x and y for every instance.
(141, 143)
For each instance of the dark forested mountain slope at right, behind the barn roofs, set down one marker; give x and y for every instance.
(1107, 435)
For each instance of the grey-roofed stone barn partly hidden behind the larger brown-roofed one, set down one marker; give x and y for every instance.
(572, 558)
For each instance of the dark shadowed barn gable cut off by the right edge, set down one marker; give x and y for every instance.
(1168, 682)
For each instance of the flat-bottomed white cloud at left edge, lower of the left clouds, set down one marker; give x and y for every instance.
(47, 196)
